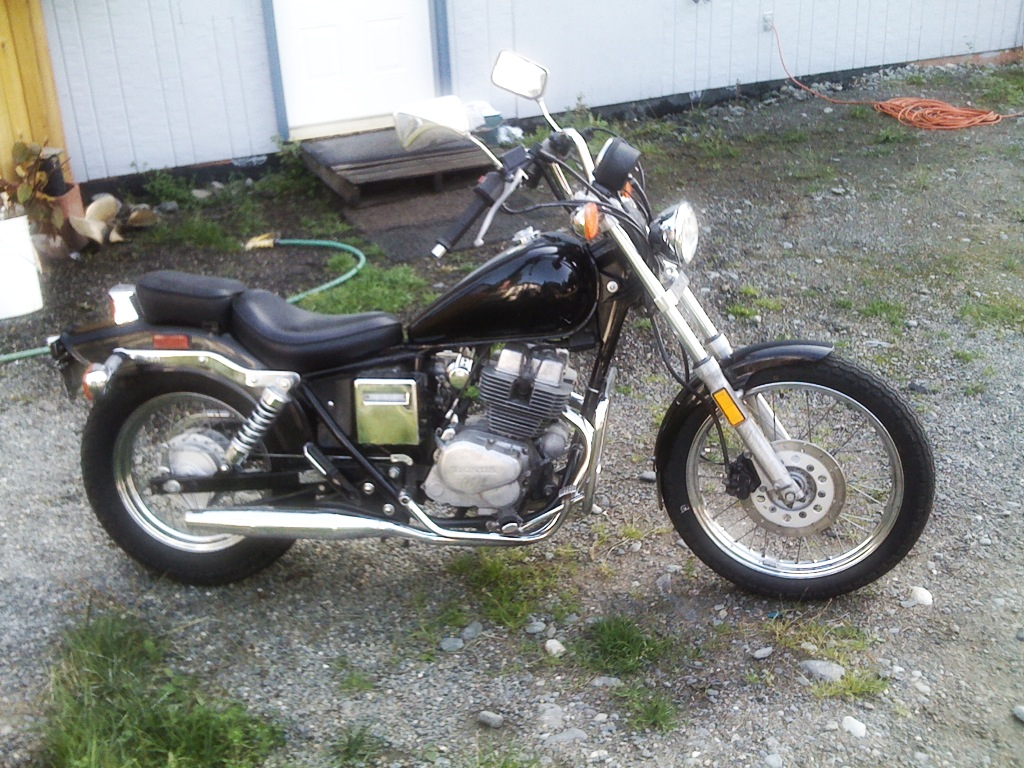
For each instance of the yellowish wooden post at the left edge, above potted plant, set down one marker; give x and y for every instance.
(28, 93)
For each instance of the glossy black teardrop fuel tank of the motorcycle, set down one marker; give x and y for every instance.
(545, 289)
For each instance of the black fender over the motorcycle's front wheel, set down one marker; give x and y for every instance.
(738, 369)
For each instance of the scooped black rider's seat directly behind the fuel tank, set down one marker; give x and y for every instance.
(285, 336)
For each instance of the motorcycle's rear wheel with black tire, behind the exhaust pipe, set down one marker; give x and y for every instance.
(182, 423)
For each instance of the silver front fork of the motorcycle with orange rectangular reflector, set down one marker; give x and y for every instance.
(748, 425)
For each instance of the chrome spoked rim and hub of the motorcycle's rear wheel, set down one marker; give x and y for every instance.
(188, 433)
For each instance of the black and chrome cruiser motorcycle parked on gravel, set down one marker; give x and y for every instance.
(227, 422)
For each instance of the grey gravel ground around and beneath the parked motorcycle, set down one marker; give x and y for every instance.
(837, 218)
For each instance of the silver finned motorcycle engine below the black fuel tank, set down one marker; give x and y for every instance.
(493, 460)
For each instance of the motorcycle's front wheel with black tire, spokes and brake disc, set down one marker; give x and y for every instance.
(857, 453)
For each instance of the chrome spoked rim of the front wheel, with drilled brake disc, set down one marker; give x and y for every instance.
(838, 451)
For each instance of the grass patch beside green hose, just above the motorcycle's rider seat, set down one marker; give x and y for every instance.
(396, 289)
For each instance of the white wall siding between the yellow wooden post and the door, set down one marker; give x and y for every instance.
(148, 84)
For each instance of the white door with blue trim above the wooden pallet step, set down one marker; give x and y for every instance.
(347, 65)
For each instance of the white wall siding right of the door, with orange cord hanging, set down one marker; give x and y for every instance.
(608, 52)
